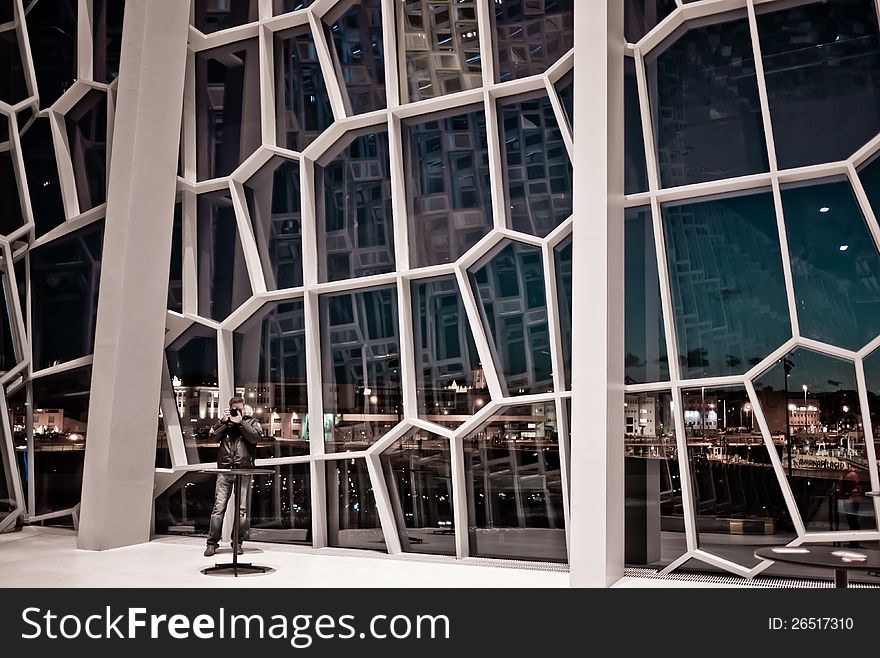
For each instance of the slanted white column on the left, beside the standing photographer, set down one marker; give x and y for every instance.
(117, 494)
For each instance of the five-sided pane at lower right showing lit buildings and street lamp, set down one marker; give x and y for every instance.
(811, 404)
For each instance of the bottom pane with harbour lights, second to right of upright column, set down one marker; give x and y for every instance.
(738, 502)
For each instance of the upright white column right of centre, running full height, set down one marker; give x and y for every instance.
(597, 425)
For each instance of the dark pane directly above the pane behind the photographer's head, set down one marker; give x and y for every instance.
(273, 200)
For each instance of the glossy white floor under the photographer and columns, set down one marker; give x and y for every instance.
(47, 557)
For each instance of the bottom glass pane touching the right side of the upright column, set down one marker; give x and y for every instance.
(654, 533)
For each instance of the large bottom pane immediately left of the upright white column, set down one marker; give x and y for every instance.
(515, 486)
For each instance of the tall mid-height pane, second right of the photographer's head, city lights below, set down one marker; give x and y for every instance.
(360, 364)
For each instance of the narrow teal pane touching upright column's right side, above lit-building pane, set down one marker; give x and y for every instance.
(644, 333)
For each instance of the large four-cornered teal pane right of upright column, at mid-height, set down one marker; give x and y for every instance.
(728, 287)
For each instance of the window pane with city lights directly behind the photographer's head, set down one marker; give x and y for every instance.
(270, 373)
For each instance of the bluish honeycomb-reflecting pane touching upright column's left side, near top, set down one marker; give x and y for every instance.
(538, 172)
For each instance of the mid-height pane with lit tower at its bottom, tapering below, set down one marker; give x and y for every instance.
(450, 384)
